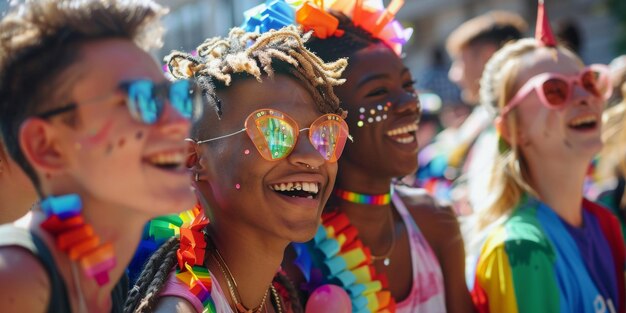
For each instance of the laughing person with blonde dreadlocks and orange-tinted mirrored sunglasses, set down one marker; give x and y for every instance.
(264, 166)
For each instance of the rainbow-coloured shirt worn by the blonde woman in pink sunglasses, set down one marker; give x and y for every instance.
(534, 263)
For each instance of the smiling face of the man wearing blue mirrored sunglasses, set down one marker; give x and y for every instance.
(108, 157)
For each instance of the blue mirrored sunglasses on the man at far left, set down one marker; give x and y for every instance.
(146, 99)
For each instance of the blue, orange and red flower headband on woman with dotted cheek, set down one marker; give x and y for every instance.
(313, 15)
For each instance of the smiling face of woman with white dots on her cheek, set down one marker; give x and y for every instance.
(376, 76)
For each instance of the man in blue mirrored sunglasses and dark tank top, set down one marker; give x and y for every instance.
(88, 115)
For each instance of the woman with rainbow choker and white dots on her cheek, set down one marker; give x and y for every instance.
(389, 247)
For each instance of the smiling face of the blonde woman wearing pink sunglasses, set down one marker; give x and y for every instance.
(570, 132)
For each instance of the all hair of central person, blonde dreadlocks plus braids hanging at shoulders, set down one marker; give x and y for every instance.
(219, 62)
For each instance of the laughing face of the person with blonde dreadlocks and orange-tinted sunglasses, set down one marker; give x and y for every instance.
(281, 199)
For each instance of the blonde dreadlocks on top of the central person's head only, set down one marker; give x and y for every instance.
(220, 60)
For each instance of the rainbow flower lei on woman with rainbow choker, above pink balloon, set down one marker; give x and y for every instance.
(337, 256)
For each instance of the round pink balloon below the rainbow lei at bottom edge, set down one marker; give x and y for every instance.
(329, 298)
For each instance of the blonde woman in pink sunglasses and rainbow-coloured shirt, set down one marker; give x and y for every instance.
(549, 249)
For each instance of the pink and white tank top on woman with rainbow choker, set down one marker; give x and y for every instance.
(428, 292)
